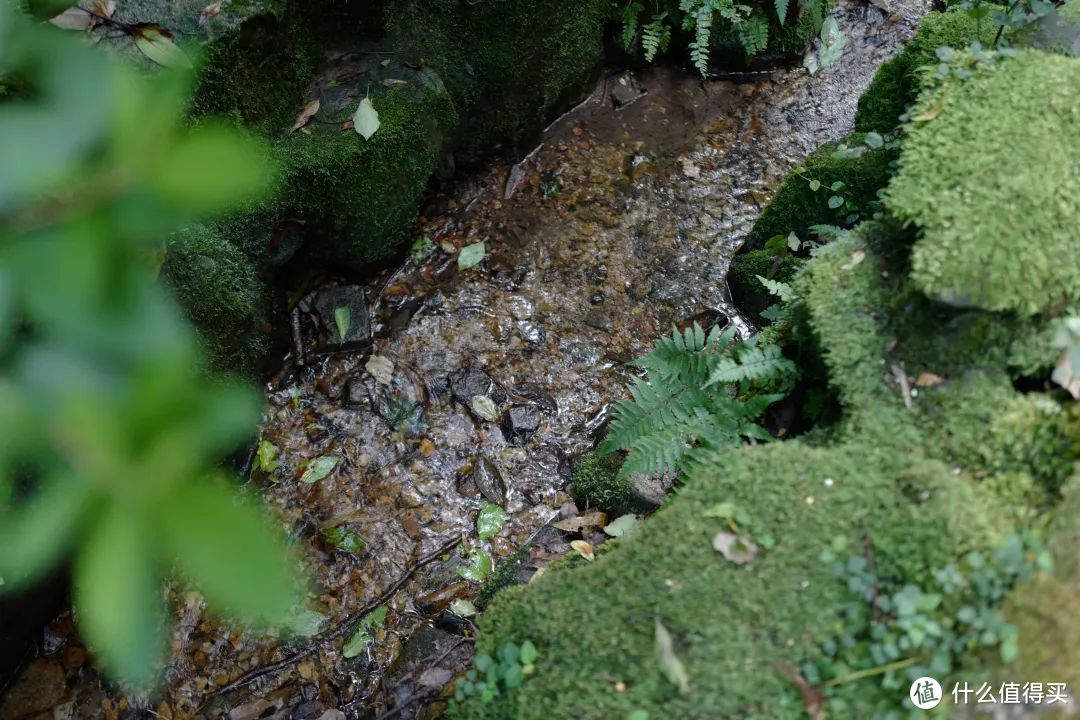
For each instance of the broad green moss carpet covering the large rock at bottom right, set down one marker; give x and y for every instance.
(732, 624)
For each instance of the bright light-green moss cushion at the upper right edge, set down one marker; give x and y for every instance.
(1007, 133)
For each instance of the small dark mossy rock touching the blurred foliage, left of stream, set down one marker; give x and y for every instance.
(219, 289)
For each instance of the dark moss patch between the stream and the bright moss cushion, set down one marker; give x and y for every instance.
(796, 207)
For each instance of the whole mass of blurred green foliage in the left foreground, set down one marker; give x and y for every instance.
(112, 427)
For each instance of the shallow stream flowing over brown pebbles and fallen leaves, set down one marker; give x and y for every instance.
(620, 225)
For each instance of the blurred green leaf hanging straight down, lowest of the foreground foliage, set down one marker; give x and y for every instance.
(118, 595)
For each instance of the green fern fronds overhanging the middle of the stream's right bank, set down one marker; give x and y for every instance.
(679, 410)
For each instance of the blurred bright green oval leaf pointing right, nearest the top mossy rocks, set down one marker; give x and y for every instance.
(212, 169)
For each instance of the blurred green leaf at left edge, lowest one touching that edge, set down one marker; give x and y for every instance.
(35, 536)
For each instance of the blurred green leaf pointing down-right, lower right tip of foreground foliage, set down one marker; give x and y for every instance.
(229, 551)
